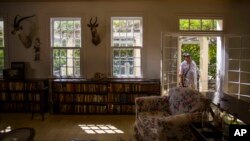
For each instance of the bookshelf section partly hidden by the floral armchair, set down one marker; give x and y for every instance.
(122, 93)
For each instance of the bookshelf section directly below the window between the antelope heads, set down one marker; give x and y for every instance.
(76, 96)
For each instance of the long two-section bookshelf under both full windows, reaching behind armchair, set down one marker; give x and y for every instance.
(111, 96)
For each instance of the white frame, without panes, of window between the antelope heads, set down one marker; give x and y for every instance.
(52, 47)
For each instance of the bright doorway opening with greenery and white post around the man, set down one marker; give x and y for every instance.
(205, 52)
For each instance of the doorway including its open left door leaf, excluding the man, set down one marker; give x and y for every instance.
(200, 47)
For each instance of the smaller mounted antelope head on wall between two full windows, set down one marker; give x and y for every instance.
(93, 28)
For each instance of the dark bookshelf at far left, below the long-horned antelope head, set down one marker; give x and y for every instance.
(29, 95)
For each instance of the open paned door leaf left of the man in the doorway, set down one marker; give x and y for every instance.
(169, 62)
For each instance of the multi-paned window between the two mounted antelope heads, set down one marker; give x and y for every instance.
(65, 45)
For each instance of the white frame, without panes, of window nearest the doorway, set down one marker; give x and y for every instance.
(137, 49)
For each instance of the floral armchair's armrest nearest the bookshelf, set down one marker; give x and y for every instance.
(151, 103)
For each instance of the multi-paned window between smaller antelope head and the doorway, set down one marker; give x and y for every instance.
(126, 44)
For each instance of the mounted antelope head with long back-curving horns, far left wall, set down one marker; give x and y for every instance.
(18, 29)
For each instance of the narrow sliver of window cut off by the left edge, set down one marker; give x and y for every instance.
(1, 46)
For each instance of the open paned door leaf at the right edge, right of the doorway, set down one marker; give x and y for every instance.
(238, 68)
